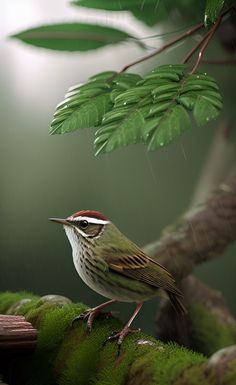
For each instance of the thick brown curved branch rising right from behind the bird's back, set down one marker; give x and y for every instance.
(201, 235)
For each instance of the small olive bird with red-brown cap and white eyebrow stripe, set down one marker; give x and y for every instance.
(115, 267)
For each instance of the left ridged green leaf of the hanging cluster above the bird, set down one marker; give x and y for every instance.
(85, 105)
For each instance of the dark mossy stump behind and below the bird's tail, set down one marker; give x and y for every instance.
(209, 325)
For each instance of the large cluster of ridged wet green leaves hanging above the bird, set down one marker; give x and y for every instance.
(128, 109)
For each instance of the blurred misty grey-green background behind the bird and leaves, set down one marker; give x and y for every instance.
(46, 176)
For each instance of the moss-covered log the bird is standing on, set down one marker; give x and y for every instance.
(69, 356)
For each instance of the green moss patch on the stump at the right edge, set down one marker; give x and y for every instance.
(207, 333)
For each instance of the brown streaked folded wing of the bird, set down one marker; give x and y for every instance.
(142, 268)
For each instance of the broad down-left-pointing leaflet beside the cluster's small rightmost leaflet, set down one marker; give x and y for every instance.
(169, 127)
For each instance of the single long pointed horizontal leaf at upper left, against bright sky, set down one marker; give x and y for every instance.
(72, 37)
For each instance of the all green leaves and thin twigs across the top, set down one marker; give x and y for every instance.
(125, 108)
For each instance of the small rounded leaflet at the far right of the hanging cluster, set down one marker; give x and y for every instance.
(204, 110)
